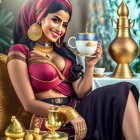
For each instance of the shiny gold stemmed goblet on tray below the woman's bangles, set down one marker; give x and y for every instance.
(53, 123)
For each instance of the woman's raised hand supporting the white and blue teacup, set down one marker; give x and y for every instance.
(91, 61)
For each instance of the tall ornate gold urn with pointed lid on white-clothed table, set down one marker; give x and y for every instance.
(123, 48)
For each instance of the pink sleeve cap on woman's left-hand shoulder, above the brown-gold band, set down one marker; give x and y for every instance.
(19, 48)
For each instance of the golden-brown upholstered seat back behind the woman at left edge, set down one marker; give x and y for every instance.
(9, 102)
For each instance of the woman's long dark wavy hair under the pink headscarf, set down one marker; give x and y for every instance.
(75, 70)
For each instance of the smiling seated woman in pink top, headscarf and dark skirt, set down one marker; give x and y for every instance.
(44, 75)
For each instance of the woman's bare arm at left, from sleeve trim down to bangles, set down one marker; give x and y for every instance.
(18, 73)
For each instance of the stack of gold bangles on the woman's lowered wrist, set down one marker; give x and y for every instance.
(67, 113)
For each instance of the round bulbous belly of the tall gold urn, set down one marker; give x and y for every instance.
(123, 50)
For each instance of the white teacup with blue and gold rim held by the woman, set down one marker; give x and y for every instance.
(86, 43)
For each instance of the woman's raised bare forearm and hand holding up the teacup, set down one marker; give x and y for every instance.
(83, 85)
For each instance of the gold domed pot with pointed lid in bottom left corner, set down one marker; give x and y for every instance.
(15, 131)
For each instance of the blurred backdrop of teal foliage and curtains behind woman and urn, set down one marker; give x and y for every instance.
(95, 14)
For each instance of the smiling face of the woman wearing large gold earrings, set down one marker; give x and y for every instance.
(54, 26)
